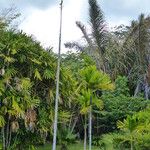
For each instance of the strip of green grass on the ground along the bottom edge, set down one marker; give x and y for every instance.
(78, 146)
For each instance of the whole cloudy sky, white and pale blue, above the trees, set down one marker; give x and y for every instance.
(40, 18)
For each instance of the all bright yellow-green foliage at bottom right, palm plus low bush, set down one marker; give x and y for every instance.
(134, 134)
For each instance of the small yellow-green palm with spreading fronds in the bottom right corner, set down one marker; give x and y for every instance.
(135, 128)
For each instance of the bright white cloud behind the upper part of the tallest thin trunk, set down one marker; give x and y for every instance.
(44, 24)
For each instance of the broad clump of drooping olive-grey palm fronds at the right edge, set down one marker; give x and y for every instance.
(128, 54)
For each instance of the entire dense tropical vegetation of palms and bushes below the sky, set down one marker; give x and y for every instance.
(106, 81)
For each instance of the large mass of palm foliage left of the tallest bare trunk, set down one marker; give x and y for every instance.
(23, 86)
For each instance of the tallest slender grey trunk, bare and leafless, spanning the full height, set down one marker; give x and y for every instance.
(57, 82)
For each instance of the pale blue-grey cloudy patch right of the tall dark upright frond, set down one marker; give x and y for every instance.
(124, 11)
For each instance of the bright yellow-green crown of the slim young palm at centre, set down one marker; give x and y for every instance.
(93, 80)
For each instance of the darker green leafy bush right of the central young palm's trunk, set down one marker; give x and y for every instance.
(117, 105)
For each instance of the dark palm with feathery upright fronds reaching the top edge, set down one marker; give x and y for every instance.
(97, 40)
